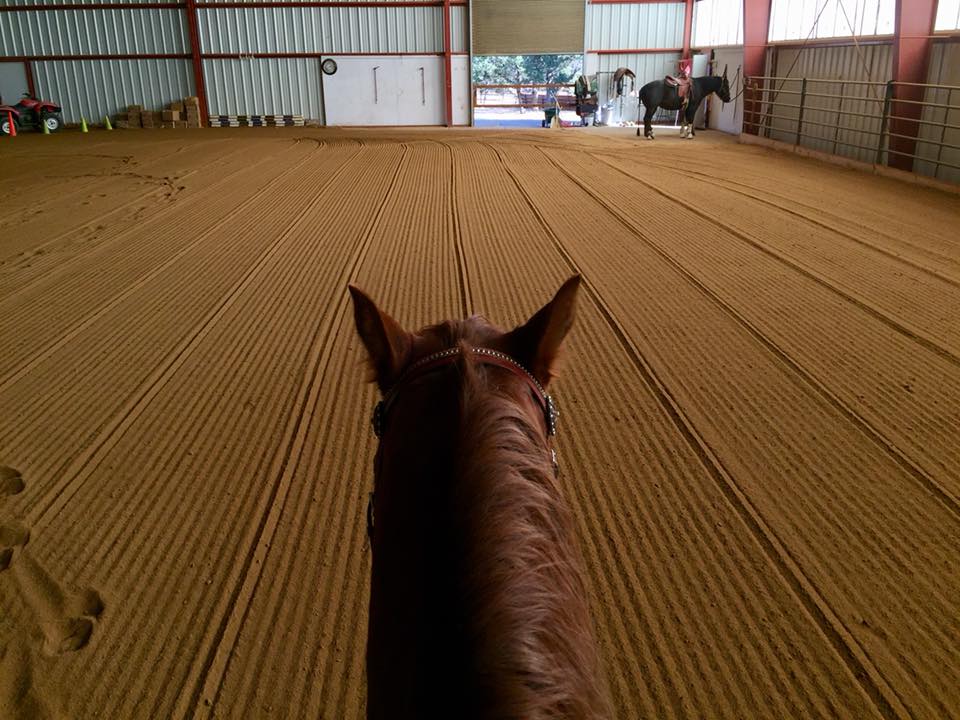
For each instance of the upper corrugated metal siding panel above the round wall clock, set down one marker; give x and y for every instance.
(321, 30)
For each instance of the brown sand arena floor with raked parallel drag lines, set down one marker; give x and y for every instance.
(759, 431)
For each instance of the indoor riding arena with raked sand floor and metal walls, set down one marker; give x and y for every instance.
(759, 431)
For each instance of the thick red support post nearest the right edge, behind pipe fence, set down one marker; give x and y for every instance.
(912, 42)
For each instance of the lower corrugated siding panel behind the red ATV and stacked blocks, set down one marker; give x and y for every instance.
(94, 88)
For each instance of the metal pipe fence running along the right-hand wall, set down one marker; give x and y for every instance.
(849, 106)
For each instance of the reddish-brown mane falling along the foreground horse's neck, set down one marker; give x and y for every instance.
(525, 609)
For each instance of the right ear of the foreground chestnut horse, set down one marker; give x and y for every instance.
(536, 344)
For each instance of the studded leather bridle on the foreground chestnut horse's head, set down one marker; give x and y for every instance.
(437, 360)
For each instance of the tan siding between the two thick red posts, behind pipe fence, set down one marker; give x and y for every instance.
(823, 128)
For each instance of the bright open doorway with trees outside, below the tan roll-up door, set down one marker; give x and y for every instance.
(524, 90)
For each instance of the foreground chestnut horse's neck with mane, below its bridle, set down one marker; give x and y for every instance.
(491, 594)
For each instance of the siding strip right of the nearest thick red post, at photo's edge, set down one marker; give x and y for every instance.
(944, 70)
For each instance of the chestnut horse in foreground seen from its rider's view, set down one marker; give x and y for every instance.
(477, 599)
